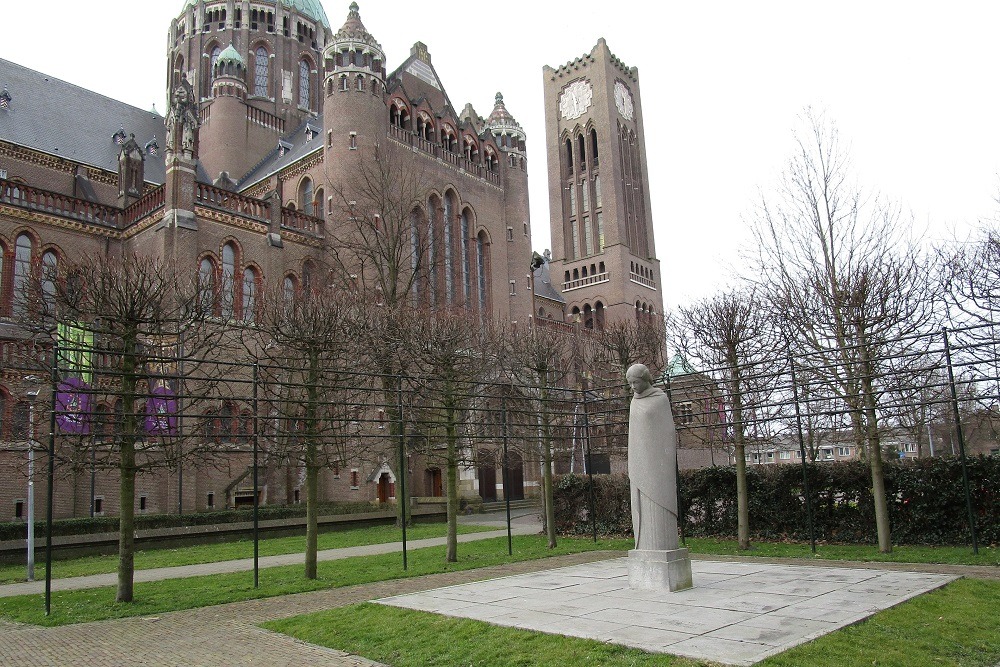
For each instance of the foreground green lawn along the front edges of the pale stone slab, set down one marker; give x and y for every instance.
(956, 625)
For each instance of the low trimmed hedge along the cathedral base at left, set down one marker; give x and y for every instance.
(18, 530)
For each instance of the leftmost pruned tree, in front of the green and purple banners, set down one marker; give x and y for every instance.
(122, 318)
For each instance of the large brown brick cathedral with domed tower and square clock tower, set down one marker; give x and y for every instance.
(245, 180)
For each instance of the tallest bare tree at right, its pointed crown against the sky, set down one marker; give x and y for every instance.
(846, 280)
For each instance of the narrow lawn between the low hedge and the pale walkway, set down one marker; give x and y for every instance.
(212, 553)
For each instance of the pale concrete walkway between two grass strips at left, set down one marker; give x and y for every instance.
(523, 522)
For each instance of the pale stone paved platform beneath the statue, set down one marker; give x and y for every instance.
(738, 613)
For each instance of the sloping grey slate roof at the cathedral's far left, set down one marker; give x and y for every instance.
(52, 116)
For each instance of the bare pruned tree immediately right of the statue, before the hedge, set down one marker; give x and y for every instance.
(732, 331)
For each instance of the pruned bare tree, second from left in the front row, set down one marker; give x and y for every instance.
(308, 351)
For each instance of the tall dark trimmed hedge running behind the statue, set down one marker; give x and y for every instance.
(925, 496)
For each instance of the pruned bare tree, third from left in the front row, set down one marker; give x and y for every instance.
(452, 352)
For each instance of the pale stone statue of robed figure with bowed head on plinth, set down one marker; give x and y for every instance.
(657, 562)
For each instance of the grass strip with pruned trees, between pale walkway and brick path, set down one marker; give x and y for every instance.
(173, 594)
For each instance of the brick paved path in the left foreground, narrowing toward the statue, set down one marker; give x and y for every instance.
(226, 635)
